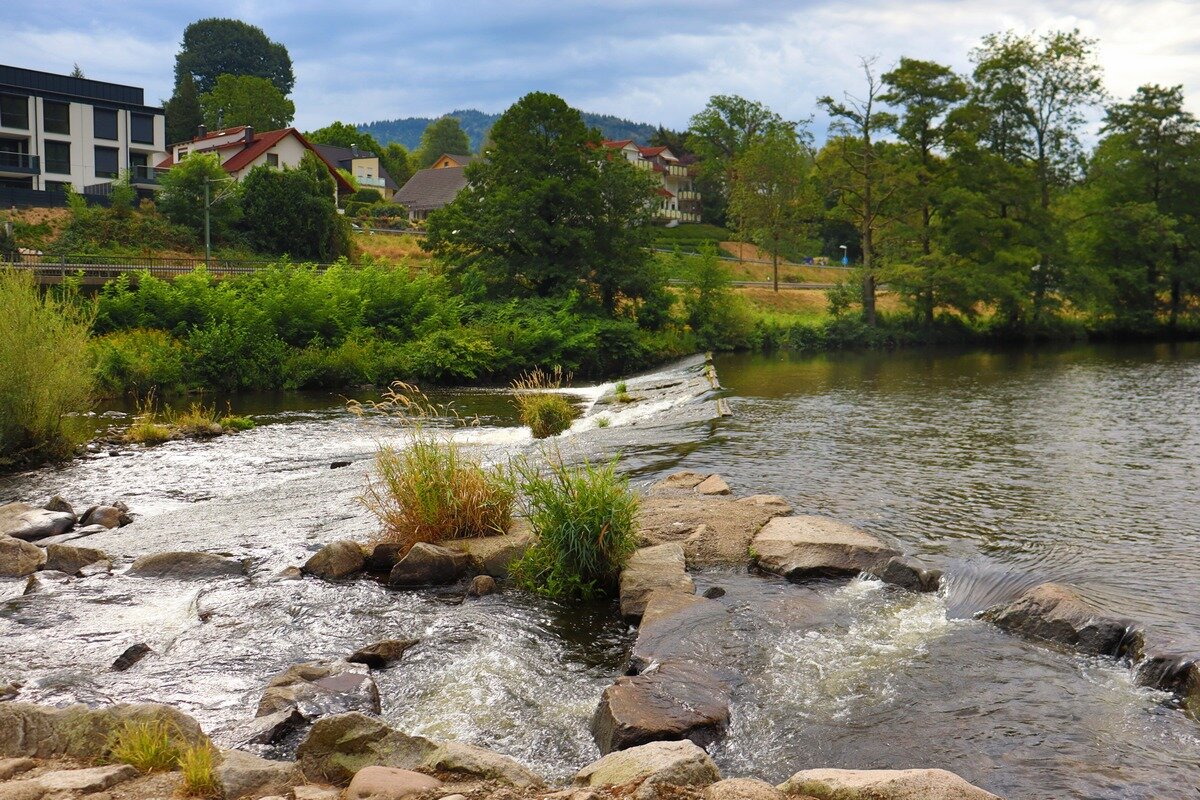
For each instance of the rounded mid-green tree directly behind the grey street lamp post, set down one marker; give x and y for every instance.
(182, 196)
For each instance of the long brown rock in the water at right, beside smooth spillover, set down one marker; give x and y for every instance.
(1058, 615)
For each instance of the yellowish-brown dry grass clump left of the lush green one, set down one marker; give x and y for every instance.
(433, 489)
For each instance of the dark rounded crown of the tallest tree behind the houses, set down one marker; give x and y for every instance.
(219, 47)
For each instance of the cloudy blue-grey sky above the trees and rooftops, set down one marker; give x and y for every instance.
(649, 62)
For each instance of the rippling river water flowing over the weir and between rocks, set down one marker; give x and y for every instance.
(1006, 470)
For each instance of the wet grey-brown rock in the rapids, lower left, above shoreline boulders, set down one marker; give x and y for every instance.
(320, 689)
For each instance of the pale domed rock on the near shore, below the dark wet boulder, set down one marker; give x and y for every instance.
(661, 763)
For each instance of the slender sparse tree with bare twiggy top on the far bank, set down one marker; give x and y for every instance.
(860, 184)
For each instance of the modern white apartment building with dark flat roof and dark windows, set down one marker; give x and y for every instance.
(58, 130)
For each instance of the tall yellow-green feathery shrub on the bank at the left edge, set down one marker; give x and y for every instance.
(45, 371)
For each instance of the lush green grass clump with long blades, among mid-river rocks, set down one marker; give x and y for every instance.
(586, 522)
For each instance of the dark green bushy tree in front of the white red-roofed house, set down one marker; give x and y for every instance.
(293, 212)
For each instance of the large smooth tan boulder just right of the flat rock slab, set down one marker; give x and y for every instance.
(801, 549)
